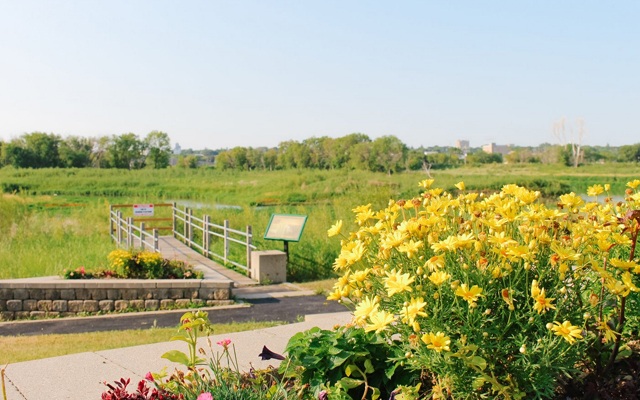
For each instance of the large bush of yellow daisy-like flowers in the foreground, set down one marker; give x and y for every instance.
(495, 295)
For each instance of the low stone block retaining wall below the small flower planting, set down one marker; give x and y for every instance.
(21, 300)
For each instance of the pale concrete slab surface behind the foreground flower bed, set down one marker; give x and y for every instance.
(82, 376)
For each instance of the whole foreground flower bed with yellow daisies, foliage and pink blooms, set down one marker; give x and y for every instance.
(464, 295)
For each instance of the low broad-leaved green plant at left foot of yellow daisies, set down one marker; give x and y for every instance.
(347, 363)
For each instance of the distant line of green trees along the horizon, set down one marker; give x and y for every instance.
(386, 154)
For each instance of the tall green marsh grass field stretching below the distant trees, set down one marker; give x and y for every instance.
(40, 234)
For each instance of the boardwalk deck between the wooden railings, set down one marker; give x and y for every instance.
(173, 249)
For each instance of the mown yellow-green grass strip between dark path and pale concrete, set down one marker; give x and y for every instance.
(15, 349)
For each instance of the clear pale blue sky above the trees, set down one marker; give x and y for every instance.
(220, 74)
